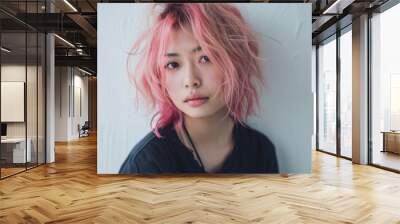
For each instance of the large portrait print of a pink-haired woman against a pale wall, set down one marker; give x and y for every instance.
(204, 88)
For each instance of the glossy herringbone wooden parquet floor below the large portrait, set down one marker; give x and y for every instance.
(70, 191)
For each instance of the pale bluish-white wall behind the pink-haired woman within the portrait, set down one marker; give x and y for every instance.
(286, 101)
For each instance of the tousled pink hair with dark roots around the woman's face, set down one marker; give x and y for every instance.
(225, 38)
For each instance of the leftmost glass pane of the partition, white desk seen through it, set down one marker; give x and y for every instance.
(13, 98)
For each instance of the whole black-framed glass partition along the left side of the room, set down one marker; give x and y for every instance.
(22, 77)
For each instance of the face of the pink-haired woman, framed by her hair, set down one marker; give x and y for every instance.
(193, 82)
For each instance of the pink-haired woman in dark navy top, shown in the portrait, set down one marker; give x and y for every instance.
(199, 67)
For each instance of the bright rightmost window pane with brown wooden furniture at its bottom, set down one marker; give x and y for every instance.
(385, 88)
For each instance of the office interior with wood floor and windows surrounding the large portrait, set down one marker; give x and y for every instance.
(49, 136)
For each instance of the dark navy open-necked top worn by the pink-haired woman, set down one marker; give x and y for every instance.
(253, 152)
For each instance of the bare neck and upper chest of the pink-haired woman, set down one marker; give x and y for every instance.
(215, 131)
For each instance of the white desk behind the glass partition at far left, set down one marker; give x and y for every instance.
(15, 148)
